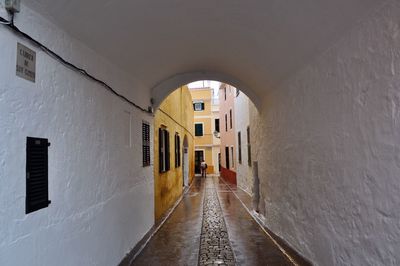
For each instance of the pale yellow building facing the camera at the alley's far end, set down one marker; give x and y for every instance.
(205, 125)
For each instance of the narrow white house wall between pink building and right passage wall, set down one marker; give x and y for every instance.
(244, 176)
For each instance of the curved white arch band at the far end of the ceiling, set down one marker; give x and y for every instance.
(165, 87)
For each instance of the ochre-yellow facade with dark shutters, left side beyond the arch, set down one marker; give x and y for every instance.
(173, 149)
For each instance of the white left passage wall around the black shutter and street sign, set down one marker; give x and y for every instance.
(102, 199)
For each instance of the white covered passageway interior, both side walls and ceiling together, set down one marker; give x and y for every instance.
(324, 76)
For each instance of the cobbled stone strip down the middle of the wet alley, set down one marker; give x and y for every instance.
(215, 247)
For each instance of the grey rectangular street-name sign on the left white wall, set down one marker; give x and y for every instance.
(26, 63)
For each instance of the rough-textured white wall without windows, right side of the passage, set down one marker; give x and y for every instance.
(329, 149)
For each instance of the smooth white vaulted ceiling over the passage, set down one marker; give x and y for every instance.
(259, 42)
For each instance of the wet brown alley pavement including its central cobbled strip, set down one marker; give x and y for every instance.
(178, 240)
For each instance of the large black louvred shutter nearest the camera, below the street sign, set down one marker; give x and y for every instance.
(37, 183)
